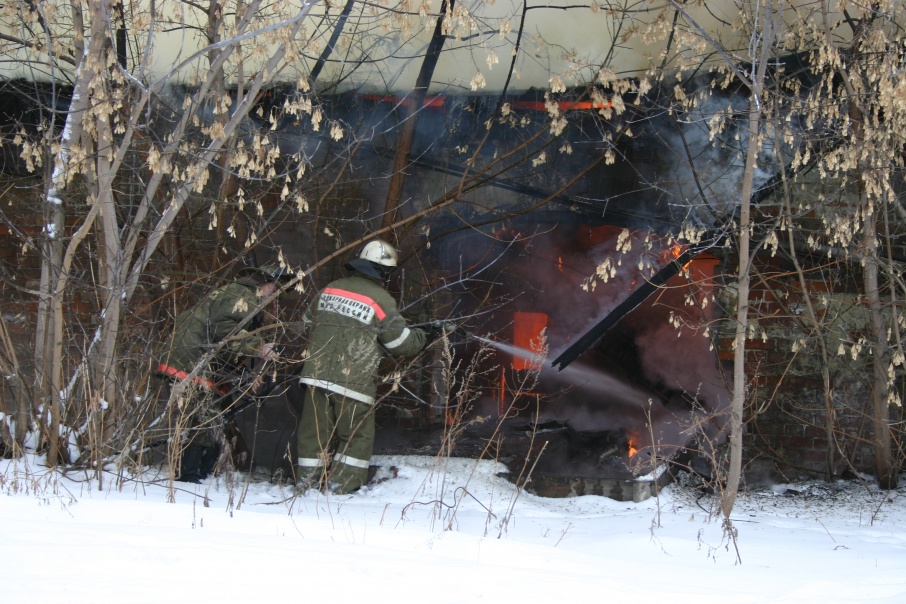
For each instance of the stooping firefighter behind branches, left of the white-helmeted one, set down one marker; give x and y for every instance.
(212, 323)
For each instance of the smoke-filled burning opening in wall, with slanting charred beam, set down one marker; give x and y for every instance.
(636, 395)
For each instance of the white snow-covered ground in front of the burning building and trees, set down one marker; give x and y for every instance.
(439, 531)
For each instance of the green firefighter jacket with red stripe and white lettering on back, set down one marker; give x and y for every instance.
(352, 322)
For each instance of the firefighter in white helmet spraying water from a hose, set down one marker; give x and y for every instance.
(352, 322)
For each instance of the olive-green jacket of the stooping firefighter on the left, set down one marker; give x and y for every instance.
(198, 330)
